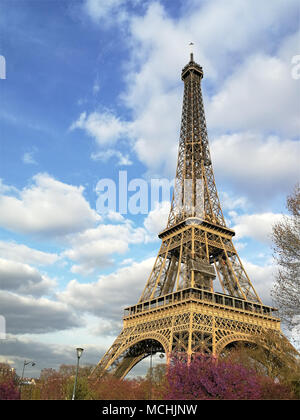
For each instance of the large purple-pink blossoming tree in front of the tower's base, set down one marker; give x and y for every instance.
(209, 378)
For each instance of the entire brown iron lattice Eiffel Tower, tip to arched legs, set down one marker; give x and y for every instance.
(179, 309)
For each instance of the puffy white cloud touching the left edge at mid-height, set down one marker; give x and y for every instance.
(47, 207)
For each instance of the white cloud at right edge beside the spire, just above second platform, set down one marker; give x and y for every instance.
(257, 165)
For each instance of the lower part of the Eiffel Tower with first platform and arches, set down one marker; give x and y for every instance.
(188, 321)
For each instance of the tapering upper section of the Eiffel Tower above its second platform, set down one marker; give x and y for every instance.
(195, 192)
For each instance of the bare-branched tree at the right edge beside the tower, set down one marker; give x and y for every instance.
(286, 245)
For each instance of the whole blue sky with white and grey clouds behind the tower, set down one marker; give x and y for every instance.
(92, 90)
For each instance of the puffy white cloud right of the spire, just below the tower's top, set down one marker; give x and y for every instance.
(259, 95)
